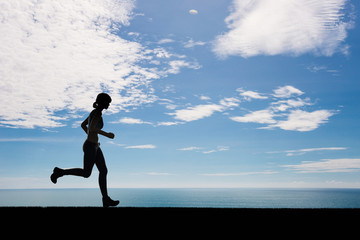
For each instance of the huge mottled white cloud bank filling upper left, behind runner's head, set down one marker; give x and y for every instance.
(56, 56)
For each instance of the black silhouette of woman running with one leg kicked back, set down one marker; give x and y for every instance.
(92, 125)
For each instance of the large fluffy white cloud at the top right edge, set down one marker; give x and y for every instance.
(267, 27)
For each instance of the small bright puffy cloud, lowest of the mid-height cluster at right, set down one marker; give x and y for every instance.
(303, 121)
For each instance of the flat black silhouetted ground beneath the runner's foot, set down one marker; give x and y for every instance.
(177, 223)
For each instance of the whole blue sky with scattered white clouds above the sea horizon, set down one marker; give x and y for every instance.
(205, 93)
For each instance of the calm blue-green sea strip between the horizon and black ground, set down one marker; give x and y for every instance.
(218, 198)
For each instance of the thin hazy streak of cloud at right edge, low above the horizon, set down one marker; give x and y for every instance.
(327, 165)
